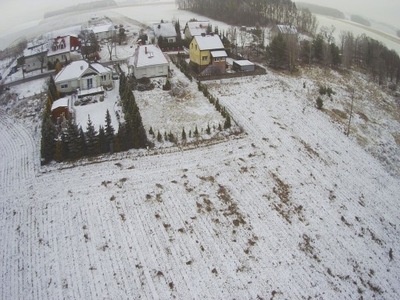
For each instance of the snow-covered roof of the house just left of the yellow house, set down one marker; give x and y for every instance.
(148, 55)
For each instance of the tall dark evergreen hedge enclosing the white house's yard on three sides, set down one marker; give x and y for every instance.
(68, 142)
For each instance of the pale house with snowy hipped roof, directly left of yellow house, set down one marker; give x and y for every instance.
(148, 61)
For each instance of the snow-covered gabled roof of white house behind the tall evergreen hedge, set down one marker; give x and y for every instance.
(77, 68)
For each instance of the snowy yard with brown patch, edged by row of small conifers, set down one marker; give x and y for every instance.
(182, 107)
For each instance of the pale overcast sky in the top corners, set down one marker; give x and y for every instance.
(14, 12)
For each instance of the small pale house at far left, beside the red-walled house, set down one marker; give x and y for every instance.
(35, 56)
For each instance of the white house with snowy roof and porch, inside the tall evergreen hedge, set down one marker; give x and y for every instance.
(83, 78)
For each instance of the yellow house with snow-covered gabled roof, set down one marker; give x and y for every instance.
(207, 54)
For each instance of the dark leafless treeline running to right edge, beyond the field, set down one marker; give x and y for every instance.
(353, 51)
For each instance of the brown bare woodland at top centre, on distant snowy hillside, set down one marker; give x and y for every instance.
(252, 12)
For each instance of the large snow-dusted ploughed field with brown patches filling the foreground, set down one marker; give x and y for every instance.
(292, 209)
